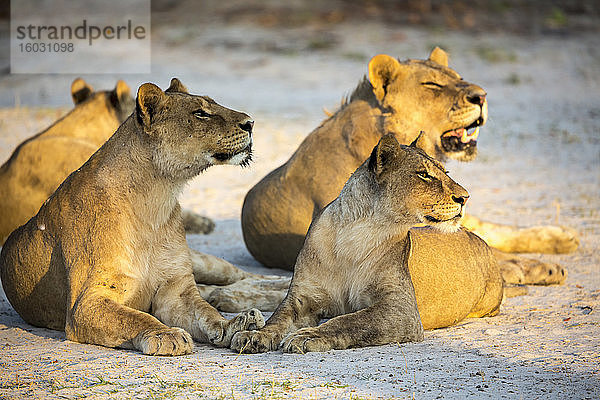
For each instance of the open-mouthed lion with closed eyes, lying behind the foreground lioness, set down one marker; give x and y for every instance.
(398, 97)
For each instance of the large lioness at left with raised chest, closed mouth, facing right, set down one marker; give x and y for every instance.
(106, 257)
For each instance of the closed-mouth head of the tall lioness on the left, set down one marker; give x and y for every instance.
(191, 132)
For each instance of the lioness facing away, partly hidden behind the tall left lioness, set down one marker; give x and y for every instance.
(39, 164)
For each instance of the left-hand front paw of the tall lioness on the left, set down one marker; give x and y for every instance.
(165, 342)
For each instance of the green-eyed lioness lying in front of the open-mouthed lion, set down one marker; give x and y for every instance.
(354, 269)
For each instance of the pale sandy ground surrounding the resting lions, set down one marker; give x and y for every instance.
(539, 164)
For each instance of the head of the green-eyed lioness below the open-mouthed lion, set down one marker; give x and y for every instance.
(415, 186)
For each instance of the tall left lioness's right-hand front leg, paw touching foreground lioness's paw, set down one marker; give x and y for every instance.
(178, 303)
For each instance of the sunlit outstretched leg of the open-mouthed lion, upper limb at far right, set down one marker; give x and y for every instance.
(510, 239)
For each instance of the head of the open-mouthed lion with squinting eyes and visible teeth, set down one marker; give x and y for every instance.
(426, 95)
